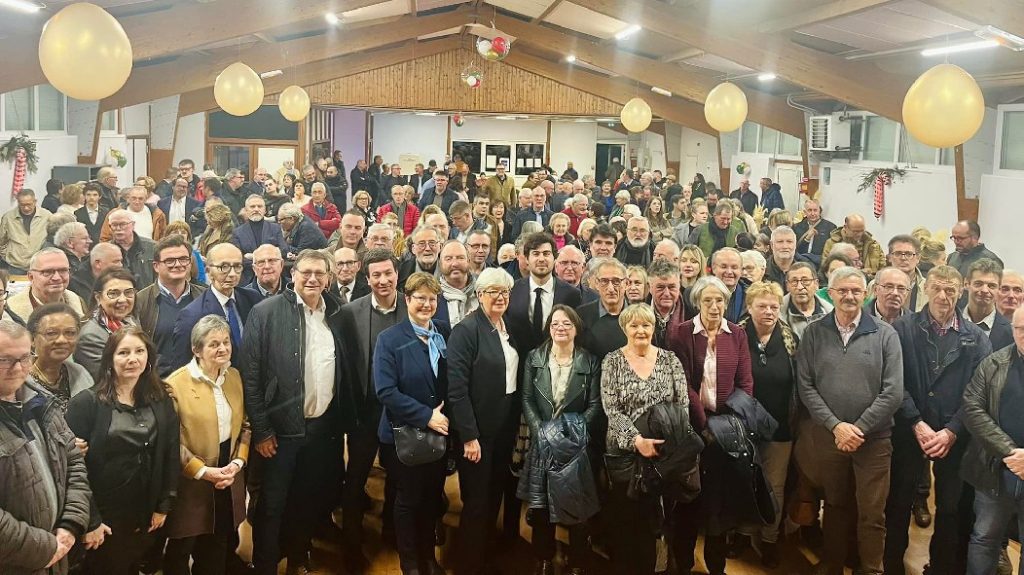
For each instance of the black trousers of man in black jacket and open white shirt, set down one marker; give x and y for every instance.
(292, 483)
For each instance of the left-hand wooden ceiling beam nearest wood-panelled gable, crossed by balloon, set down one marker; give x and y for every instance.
(310, 74)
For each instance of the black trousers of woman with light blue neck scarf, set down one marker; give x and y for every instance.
(417, 505)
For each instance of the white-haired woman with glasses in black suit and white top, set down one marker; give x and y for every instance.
(484, 407)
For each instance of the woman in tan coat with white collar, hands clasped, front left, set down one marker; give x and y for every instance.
(210, 507)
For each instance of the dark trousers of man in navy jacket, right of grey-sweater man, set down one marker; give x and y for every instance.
(954, 507)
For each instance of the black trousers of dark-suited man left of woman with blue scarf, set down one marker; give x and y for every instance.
(363, 448)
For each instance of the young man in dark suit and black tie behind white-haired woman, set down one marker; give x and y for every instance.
(533, 297)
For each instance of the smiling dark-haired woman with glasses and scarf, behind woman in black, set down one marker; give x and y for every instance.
(115, 295)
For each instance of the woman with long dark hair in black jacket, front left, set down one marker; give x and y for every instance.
(134, 461)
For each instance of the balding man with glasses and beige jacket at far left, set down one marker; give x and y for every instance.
(50, 276)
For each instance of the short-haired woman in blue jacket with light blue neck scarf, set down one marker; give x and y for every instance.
(411, 381)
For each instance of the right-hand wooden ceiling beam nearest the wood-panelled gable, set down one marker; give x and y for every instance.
(681, 112)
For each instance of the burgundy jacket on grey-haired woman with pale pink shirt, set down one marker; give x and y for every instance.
(734, 365)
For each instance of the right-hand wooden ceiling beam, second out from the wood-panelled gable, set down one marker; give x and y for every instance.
(764, 109)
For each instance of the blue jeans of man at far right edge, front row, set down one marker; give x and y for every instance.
(993, 516)
